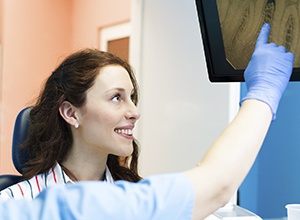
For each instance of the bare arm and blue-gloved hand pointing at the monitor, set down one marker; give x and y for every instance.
(231, 156)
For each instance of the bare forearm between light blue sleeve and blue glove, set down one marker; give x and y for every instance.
(229, 159)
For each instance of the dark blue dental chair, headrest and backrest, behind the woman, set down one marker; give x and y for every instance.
(19, 156)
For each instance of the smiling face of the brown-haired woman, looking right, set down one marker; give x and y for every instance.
(109, 115)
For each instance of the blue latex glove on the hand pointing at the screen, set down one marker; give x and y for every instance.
(268, 71)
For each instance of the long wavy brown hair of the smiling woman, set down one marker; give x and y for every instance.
(50, 137)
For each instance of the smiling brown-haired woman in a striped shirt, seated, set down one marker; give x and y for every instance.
(81, 126)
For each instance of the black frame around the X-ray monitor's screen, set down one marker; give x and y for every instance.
(219, 69)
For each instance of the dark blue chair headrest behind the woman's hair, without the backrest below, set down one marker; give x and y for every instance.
(20, 156)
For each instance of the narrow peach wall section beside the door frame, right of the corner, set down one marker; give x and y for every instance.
(91, 15)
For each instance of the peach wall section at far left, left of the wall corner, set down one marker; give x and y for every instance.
(35, 34)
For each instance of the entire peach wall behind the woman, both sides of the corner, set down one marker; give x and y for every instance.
(36, 36)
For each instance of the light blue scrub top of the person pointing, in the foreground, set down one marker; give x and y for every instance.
(168, 196)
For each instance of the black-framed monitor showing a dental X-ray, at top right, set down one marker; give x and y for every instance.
(229, 30)
